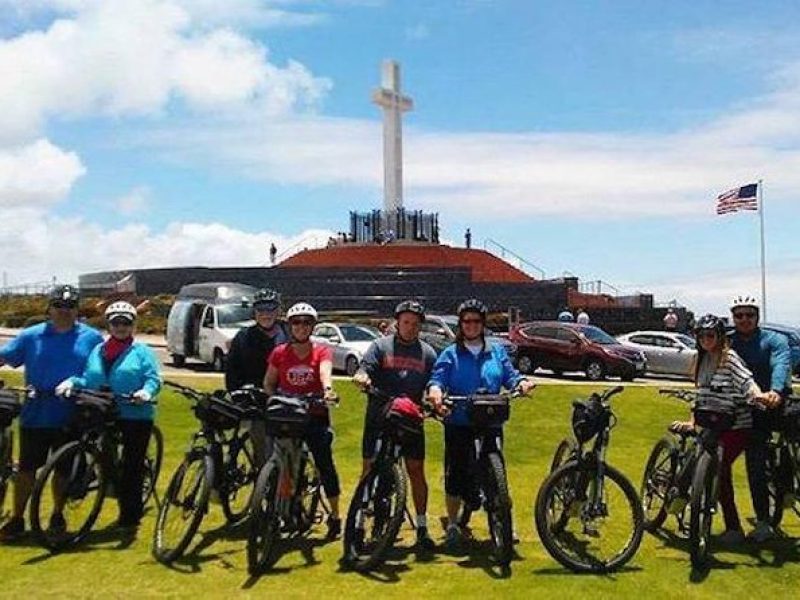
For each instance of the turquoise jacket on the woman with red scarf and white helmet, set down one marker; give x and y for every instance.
(135, 369)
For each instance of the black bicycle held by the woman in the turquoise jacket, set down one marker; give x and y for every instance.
(86, 470)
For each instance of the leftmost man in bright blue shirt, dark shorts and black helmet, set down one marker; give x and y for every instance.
(50, 352)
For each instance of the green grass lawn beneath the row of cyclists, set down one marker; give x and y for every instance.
(216, 564)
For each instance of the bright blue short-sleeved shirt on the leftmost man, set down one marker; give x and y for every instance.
(49, 358)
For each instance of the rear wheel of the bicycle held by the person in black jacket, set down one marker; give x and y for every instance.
(238, 480)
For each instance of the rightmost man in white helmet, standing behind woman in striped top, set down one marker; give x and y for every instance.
(767, 355)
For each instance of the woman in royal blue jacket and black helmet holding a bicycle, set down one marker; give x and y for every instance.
(463, 368)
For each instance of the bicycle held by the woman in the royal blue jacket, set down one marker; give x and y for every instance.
(487, 413)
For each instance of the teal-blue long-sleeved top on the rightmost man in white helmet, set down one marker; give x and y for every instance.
(768, 356)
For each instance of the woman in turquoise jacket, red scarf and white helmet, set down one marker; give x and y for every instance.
(126, 367)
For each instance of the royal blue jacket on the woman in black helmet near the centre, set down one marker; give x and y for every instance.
(459, 372)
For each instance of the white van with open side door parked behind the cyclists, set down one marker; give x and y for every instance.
(204, 320)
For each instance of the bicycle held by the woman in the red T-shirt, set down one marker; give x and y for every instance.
(288, 498)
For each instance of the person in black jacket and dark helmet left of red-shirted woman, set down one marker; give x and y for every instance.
(250, 350)
